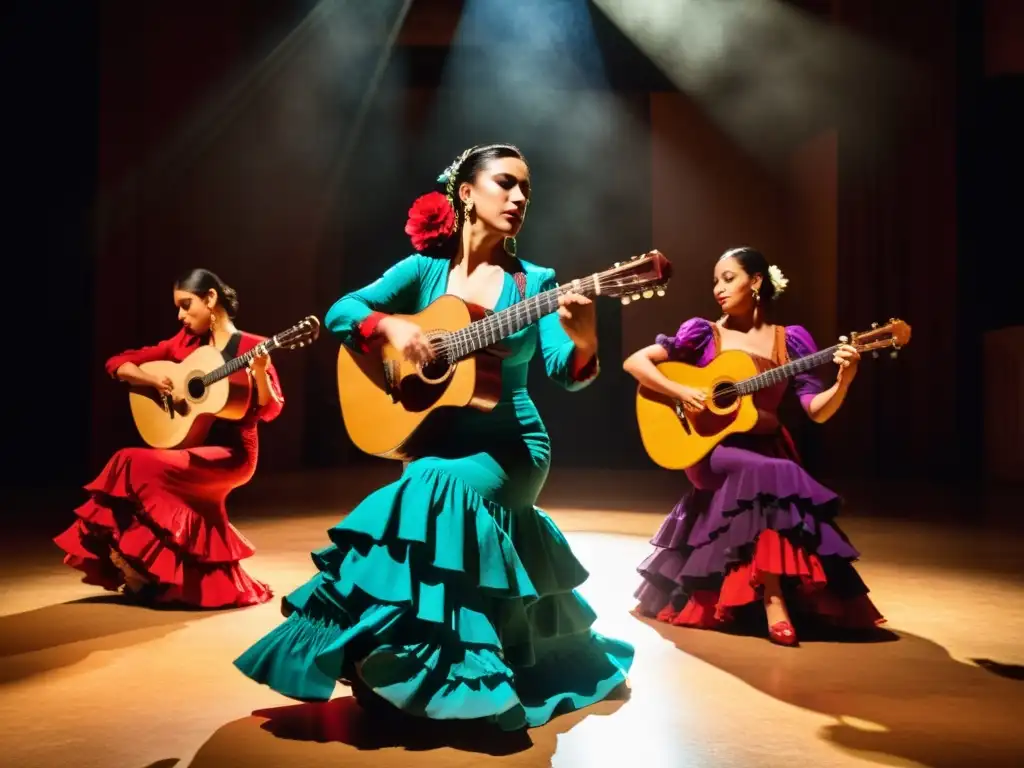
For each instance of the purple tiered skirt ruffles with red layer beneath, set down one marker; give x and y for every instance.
(771, 518)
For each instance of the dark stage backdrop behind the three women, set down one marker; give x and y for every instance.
(147, 139)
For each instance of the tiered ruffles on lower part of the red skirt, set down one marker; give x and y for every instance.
(190, 560)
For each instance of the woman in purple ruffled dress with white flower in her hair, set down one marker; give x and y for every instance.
(756, 527)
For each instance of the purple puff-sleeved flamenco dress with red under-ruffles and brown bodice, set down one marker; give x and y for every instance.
(754, 510)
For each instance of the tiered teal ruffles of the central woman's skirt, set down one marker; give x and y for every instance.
(450, 607)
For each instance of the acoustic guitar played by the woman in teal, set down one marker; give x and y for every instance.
(391, 407)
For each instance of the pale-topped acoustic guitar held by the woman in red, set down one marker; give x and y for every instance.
(206, 389)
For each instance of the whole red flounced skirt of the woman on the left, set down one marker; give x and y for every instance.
(163, 514)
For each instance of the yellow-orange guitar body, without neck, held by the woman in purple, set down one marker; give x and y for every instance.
(675, 439)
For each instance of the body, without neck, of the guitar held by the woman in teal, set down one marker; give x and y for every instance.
(392, 408)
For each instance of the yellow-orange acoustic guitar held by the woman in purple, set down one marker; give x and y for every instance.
(675, 439)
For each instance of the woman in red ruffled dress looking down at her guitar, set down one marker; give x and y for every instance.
(156, 525)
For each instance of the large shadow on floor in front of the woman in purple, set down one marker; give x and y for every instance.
(907, 700)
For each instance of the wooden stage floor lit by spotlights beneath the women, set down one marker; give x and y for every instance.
(89, 681)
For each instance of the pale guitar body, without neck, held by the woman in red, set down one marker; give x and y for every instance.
(187, 422)
